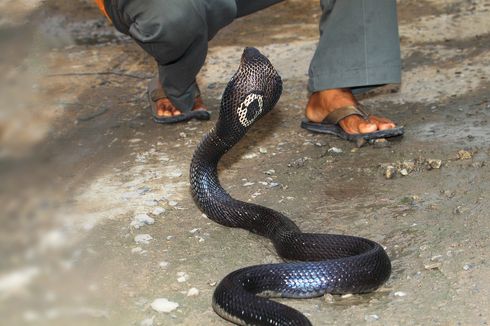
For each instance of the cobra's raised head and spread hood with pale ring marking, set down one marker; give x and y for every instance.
(252, 92)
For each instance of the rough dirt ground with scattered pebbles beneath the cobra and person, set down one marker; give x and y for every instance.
(96, 214)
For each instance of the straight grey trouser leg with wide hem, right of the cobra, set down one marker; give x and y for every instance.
(359, 45)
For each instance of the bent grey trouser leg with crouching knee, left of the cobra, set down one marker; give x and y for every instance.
(176, 34)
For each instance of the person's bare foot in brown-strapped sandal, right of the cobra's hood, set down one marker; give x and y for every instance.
(322, 103)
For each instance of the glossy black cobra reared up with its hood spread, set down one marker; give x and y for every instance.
(330, 263)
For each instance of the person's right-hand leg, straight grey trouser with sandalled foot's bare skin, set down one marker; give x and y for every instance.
(358, 50)
